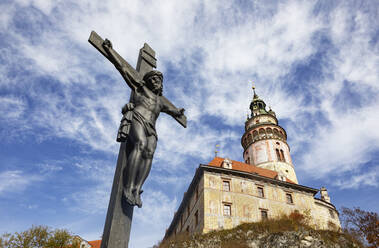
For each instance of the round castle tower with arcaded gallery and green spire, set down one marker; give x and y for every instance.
(265, 142)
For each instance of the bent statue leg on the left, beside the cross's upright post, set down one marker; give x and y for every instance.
(138, 141)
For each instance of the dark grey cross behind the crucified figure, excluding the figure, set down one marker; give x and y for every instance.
(119, 215)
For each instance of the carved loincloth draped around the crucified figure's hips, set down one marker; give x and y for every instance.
(126, 123)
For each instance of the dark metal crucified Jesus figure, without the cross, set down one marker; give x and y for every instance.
(137, 126)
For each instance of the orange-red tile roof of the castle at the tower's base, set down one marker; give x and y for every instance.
(239, 166)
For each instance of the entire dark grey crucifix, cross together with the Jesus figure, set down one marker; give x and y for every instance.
(137, 136)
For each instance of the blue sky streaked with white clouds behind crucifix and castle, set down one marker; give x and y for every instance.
(314, 62)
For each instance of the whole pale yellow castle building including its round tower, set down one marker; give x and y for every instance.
(225, 193)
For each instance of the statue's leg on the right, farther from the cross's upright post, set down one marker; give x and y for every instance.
(144, 169)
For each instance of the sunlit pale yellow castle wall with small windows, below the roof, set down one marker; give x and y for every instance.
(247, 203)
